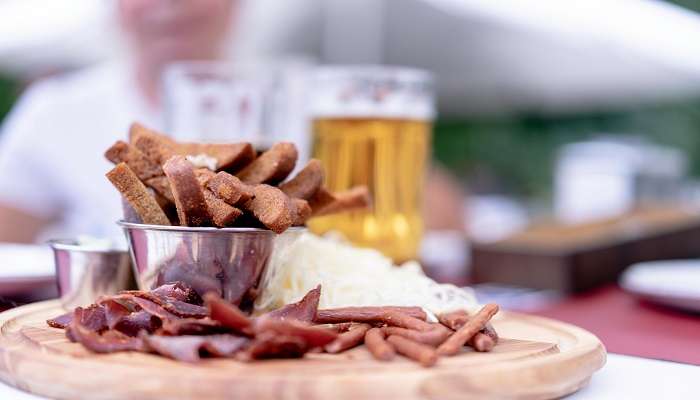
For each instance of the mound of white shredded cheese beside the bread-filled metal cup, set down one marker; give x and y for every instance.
(350, 276)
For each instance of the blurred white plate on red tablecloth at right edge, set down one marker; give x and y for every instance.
(674, 283)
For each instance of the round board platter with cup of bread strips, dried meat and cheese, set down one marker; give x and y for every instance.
(237, 300)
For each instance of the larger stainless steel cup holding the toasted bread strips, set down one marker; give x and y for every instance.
(227, 261)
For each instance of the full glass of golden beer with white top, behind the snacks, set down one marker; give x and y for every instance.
(372, 126)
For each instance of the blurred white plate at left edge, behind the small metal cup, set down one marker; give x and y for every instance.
(25, 268)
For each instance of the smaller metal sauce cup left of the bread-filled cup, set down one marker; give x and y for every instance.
(84, 273)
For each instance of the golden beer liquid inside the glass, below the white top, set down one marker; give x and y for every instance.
(389, 155)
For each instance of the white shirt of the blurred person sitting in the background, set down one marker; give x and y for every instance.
(52, 149)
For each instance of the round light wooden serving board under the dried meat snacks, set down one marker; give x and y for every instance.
(541, 359)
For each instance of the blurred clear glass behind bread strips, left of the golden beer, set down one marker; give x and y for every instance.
(214, 101)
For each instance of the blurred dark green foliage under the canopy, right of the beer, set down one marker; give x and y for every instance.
(516, 154)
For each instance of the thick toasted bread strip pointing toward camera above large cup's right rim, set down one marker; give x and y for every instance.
(271, 207)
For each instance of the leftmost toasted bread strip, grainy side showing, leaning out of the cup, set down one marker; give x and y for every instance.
(134, 191)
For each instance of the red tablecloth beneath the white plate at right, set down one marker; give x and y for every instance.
(628, 326)
